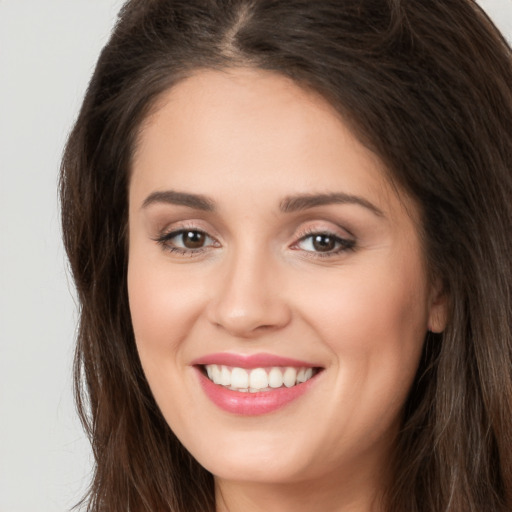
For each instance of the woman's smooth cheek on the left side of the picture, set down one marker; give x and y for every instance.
(163, 311)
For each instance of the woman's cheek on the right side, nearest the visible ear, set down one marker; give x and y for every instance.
(374, 325)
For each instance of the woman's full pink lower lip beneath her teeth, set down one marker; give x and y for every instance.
(252, 404)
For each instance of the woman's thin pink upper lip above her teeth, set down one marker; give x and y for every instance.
(259, 360)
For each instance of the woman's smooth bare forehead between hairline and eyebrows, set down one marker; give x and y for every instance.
(255, 130)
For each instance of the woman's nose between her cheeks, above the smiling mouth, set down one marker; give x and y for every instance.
(249, 300)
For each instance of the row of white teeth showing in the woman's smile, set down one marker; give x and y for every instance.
(257, 379)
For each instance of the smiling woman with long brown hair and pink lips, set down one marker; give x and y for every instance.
(289, 226)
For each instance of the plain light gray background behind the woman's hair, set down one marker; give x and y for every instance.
(47, 52)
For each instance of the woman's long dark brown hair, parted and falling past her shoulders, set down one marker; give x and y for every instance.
(427, 85)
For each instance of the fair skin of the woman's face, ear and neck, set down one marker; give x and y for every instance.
(247, 140)
